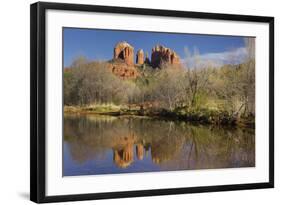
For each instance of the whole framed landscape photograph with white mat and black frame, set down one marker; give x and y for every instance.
(129, 102)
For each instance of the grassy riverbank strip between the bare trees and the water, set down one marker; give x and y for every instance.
(200, 116)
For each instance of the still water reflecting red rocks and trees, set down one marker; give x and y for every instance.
(107, 145)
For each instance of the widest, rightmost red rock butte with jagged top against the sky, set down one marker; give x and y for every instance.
(161, 54)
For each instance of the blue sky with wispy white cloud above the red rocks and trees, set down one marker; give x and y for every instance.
(95, 44)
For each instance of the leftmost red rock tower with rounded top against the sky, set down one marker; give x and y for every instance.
(124, 51)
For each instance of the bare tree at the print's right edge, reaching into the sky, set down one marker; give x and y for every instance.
(236, 83)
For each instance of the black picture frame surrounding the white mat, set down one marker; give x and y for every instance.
(38, 101)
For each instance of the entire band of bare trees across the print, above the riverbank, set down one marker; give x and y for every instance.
(229, 88)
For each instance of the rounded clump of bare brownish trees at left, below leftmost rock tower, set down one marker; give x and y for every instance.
(88, 83)
